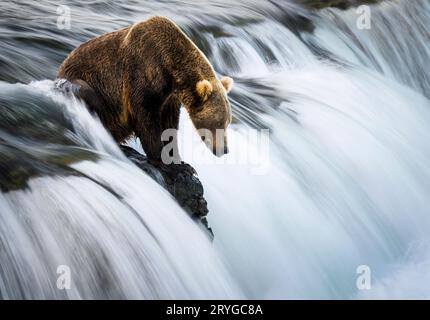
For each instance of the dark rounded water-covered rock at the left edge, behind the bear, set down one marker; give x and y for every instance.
(36, 139)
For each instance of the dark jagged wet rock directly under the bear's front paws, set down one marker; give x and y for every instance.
(181, 182)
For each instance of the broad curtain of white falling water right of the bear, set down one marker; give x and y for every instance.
(350, 170)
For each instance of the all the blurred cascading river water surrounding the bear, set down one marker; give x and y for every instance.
(345, 181)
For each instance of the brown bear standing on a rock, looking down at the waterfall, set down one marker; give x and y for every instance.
(135, 79)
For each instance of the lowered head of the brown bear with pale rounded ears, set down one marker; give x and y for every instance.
(211, 114)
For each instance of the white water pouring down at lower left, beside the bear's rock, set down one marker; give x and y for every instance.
(122, 237)
